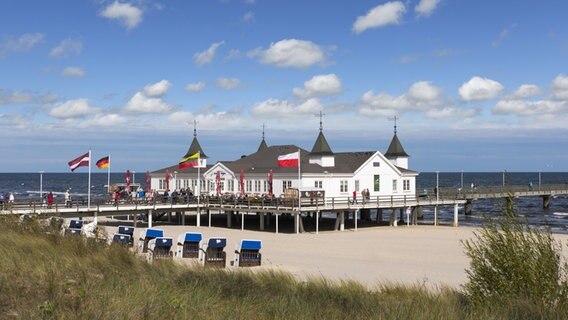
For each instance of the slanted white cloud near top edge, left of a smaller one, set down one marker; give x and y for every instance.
(380, 16)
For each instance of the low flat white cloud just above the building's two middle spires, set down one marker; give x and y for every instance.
(275, 108)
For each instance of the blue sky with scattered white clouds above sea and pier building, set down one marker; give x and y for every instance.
(474, 85)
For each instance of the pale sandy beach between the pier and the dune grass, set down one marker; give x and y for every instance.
(432, 256)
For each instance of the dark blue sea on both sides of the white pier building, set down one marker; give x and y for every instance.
(26, 186)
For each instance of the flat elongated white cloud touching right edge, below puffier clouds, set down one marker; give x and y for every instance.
(530, 108)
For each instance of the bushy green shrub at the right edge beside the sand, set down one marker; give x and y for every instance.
(511, 261)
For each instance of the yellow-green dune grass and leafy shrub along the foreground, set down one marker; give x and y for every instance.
(44, 275)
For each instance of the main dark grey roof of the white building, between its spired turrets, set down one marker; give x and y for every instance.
(267, 159)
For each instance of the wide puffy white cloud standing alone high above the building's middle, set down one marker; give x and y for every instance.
(291, 53)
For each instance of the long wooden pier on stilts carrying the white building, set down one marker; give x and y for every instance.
(408, 209)
